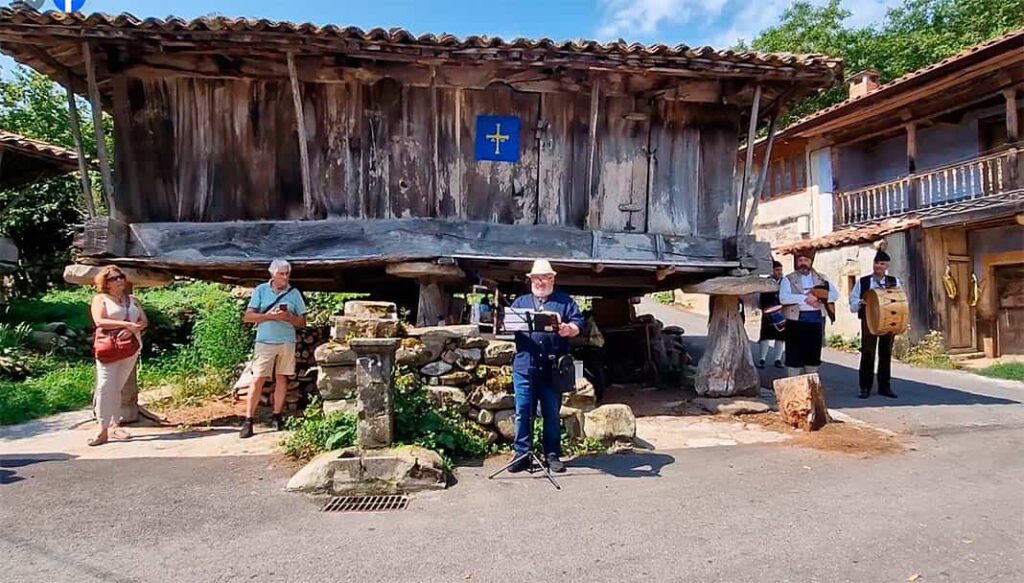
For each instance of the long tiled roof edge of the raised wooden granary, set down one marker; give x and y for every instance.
(828, 67)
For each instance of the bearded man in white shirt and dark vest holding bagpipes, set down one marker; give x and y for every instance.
(805, 314)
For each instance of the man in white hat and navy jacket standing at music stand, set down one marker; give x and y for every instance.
(533, 368)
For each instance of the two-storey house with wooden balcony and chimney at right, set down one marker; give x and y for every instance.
(930, 166)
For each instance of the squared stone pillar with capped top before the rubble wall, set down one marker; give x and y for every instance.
(374, 368)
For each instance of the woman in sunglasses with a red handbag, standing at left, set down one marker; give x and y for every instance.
(119, 320)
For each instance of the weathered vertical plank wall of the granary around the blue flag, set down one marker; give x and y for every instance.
(216, 150)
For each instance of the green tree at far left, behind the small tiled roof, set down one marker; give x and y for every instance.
(42, 218)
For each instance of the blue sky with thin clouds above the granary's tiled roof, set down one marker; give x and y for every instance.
(719, 23)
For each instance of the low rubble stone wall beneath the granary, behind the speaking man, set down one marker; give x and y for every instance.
(455, 363)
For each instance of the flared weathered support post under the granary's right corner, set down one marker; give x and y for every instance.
(727, 369)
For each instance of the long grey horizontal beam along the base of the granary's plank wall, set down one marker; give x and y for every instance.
(411, 239)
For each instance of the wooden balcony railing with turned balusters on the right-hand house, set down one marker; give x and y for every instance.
(976, 179)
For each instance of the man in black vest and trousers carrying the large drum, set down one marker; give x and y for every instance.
(870, 344)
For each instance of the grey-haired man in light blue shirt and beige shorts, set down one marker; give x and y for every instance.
(278, 310)
